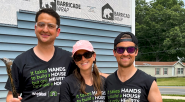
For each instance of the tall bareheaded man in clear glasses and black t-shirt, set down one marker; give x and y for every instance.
(38, 72)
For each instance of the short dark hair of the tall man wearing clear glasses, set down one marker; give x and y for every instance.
(50, 12)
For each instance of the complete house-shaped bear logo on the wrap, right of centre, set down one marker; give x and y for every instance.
(107, 12)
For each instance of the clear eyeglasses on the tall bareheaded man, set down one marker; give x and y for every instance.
(49, 25)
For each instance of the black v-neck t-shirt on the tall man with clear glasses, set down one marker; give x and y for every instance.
(37, 80)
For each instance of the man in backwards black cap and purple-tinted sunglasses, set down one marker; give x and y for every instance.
(129, 84)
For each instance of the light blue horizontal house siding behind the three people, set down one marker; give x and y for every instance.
(16, 39)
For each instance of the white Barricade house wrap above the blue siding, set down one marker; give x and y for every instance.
(111, 11)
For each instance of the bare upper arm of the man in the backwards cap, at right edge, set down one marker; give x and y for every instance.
(154, 93)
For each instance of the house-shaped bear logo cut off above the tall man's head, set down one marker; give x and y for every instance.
(48, 4)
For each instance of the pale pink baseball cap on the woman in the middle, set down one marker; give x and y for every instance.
(82, 44)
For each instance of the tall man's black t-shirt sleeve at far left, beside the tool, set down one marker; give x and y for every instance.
(16, 75)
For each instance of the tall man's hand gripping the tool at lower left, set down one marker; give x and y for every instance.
(10, 98)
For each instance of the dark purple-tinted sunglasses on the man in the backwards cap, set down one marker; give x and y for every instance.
(121, 50)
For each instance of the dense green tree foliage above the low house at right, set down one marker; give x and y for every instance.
(160, 29)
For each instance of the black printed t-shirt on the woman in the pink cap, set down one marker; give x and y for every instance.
(70, 91)
